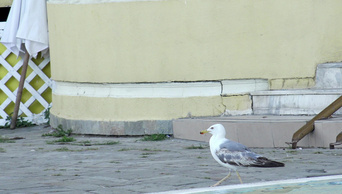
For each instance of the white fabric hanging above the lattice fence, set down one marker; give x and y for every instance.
(27, 24)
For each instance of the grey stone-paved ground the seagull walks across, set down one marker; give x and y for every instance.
(32, 165)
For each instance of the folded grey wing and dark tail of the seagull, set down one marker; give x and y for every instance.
(235, 153)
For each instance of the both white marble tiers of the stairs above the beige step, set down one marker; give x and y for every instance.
(328, 87)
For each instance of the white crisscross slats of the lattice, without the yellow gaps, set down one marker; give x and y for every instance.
(36, 94)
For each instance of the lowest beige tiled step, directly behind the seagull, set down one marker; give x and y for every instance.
(261, 131)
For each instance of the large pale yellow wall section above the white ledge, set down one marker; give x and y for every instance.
(173, 40)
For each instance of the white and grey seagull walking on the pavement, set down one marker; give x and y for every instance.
(231, 154)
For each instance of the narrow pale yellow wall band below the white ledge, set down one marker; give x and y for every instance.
(111, 109)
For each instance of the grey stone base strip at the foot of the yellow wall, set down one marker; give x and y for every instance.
(119, 128)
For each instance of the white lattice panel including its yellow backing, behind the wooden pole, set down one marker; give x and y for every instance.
(36, 84)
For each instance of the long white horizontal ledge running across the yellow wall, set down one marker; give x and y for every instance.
(138, 90)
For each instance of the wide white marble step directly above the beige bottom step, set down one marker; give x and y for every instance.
(293, 102)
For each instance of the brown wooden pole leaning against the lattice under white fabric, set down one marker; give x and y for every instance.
(20, 90)
